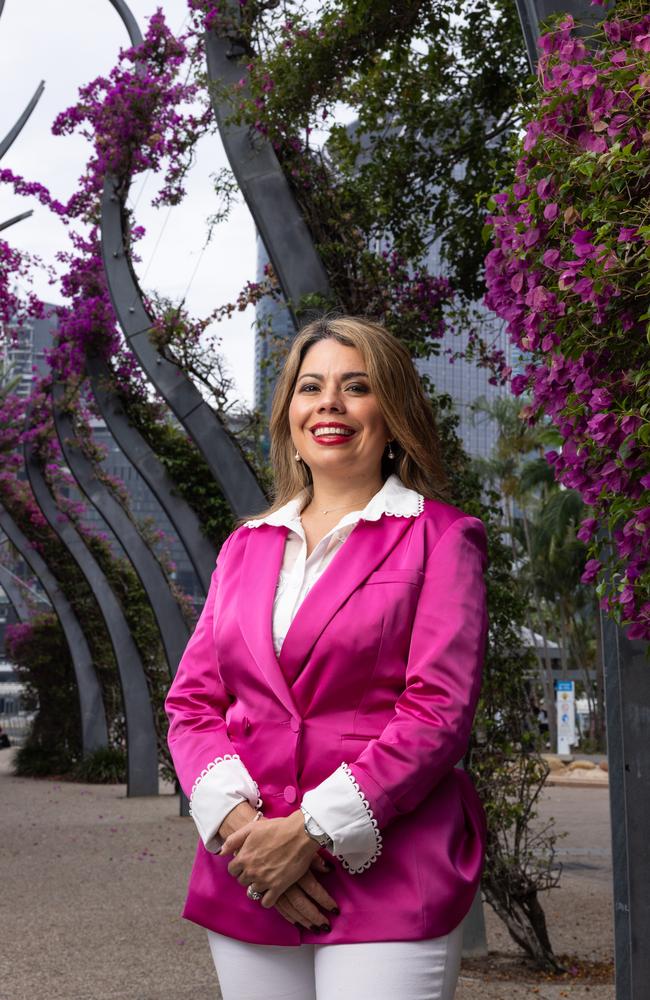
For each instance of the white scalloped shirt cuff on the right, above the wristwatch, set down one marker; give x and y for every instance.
(339, 806)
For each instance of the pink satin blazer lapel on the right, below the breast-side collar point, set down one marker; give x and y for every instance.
(364, 549)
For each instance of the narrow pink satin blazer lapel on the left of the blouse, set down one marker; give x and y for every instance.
(259, 576)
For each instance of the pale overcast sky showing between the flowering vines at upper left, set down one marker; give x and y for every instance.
(67, 43)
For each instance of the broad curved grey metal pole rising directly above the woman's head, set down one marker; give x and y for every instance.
(263, 182)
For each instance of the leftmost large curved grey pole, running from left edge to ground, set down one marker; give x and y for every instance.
(94, 734)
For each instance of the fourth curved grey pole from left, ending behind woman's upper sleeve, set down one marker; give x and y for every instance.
(200, 551)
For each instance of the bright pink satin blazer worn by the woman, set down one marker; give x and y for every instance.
(381, 668)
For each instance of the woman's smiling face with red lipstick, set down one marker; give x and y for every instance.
(334, 416)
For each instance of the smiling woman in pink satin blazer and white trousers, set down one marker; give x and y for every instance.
(328, 692)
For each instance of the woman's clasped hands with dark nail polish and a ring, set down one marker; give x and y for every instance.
(279, 858)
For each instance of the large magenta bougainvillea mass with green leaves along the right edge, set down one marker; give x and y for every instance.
(568, 273)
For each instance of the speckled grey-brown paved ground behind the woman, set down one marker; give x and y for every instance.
(91, 886)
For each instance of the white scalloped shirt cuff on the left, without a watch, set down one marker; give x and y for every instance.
(216, 792)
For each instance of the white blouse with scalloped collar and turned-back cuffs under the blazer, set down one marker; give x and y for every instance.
(337, 804)
